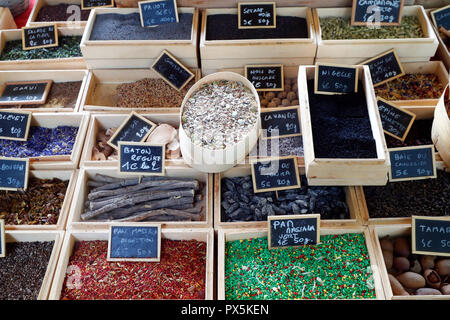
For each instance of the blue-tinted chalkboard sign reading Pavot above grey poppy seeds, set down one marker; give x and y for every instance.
(156, 12)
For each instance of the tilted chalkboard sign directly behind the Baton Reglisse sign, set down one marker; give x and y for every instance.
(135, 128)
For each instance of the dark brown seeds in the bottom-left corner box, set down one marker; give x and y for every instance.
(23, 269)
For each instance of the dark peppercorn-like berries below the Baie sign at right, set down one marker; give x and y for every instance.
(430, 197)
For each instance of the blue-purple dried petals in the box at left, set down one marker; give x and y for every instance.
(41, 142)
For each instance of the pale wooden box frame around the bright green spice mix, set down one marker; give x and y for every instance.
(231, 235)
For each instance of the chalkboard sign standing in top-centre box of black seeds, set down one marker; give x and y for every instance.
(253, 15)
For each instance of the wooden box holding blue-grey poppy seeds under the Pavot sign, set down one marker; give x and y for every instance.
(108, 54)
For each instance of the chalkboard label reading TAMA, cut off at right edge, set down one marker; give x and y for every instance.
(431, 235)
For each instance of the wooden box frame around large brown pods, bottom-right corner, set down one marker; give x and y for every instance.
(377, 232)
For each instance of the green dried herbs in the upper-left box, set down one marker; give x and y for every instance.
(68, 47)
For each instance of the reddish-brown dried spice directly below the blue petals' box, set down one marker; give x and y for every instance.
(40, 204)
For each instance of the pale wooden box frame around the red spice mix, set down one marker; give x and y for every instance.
(206, 235)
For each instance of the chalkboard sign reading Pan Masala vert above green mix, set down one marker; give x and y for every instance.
(293, 230)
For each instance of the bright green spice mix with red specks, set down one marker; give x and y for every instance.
(338, 268)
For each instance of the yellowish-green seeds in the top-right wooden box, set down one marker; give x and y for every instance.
(337, 28)
